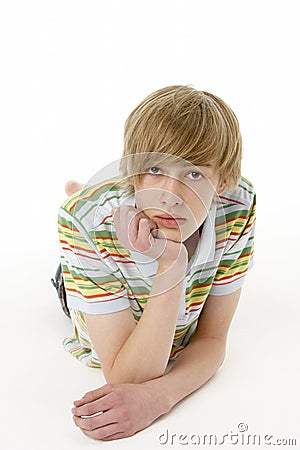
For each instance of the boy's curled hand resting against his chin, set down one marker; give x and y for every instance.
(136, 231)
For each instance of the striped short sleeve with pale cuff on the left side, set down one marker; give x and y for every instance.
(91, 284)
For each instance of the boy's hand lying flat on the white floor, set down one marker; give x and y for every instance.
(122, 410)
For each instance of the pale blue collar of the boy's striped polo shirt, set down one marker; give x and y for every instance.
(205, 250)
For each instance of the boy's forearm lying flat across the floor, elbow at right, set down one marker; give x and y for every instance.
(198, 362)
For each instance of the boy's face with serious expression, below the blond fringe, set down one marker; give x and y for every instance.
(183, 192)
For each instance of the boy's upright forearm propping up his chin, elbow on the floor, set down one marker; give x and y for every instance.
(145, 354)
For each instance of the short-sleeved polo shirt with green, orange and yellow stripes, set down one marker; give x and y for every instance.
(101, 276)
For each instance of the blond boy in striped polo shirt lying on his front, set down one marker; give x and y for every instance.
(153, 260)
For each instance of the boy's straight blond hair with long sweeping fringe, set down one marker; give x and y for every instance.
(181, 121)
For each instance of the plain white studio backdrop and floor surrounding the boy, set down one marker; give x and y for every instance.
(71, 72)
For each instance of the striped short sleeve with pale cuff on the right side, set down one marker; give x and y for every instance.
(237, 258)
